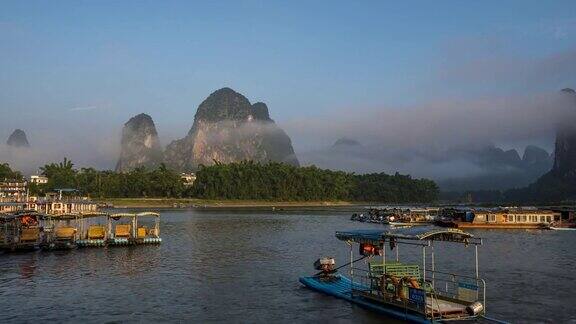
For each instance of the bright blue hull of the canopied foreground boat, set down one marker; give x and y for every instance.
(341, 287)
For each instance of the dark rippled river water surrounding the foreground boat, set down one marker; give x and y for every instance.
(243, 266)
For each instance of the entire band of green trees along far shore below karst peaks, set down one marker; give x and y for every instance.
(235, 184)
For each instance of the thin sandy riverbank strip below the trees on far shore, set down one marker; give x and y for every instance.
(204, 203)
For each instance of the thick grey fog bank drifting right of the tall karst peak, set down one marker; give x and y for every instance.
(460, 145)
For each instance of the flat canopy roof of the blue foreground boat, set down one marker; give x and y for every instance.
(420, 233)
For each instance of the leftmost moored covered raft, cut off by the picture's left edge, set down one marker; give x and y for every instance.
(21, 231)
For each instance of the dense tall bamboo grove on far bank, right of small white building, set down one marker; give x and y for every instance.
(278, 181)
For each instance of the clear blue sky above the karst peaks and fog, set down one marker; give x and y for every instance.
(91, 65)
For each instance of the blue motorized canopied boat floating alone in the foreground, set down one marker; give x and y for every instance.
(407, 291)
